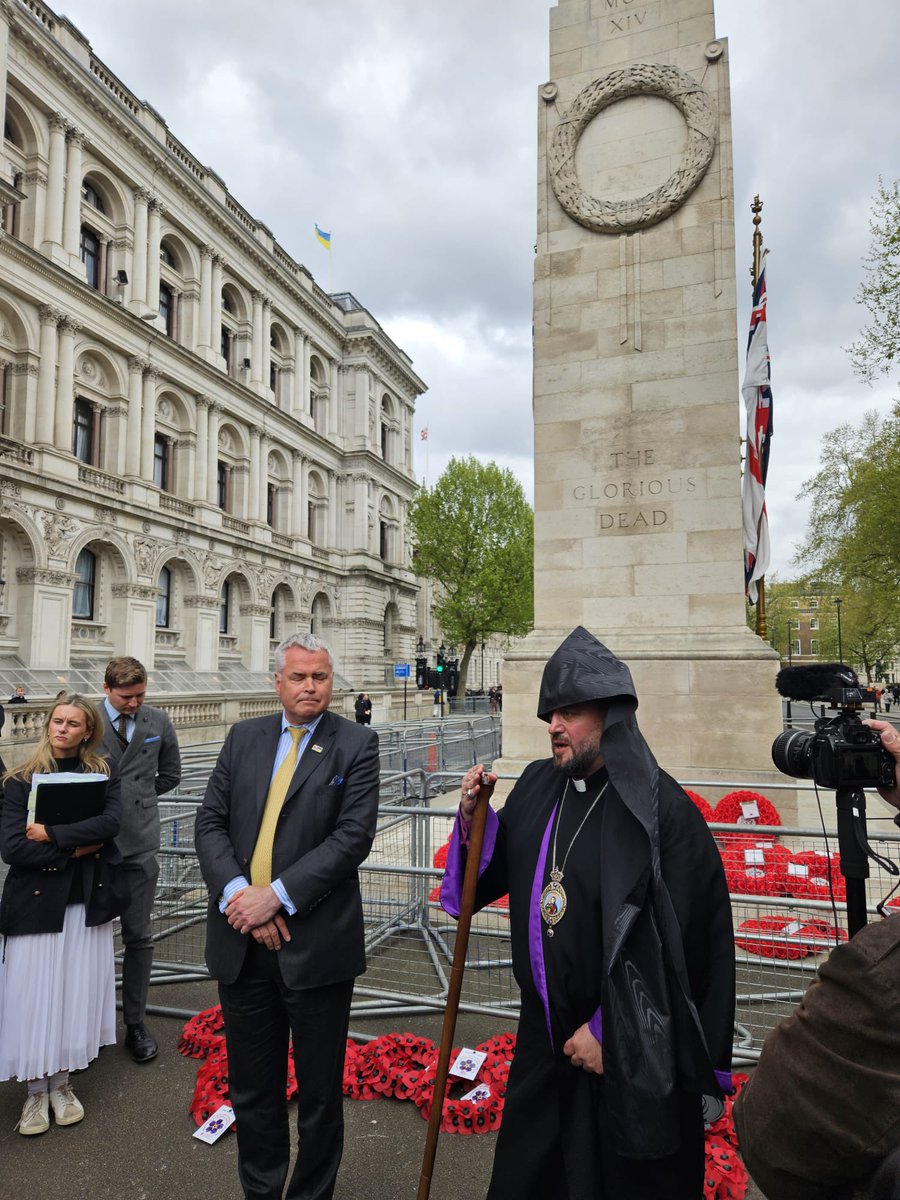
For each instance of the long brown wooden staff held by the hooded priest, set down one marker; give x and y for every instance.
(467, 905)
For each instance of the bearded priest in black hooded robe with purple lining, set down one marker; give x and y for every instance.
(622, 949)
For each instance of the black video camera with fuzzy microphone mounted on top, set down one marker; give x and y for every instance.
(843, 753)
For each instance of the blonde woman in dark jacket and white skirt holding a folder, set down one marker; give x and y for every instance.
(57, 970)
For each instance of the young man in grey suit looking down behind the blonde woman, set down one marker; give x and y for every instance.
(142, 742)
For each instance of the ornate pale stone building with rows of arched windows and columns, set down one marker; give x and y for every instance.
(201, 451)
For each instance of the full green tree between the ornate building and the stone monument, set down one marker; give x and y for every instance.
(475, 535)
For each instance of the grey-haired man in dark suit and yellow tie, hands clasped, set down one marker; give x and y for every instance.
(289, 817)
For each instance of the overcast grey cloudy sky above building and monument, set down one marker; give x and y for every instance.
(407, 129)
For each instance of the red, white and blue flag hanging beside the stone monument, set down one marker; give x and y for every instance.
(758, 400)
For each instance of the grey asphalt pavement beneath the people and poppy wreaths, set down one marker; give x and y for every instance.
(136, 1141)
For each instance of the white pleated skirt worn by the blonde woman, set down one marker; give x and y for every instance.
(57, 999)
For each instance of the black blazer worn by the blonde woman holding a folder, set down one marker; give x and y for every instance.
(40, 880)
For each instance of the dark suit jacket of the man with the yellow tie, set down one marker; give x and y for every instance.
(325, 832)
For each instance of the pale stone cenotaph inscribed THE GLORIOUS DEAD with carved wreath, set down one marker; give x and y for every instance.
(637, 388)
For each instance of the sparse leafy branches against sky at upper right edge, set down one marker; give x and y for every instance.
(879, 347)
